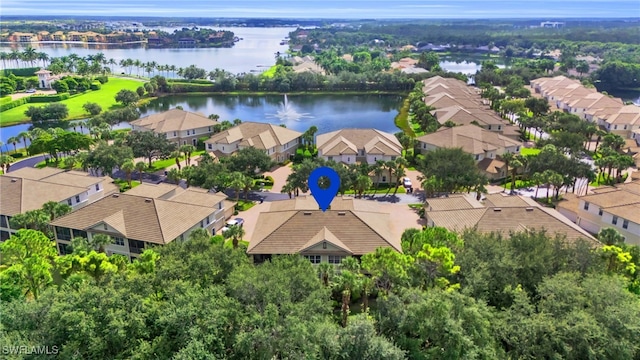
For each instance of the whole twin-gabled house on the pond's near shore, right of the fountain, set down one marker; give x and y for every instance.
(358, 145)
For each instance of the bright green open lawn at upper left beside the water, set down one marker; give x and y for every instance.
(105, 97)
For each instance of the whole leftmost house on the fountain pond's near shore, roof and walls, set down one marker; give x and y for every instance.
(179, 126)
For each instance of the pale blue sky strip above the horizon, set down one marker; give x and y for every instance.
(329, 8)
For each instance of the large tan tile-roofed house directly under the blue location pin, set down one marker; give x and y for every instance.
(351, 227)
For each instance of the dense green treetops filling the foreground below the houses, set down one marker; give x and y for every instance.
(447, 297)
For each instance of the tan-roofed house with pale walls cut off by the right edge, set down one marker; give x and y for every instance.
(617, 207)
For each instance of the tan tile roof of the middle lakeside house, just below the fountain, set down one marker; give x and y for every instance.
(259, 135)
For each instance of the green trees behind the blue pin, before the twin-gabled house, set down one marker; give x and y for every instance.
(356, 177)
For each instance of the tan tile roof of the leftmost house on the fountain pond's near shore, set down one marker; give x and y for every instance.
(174, 120)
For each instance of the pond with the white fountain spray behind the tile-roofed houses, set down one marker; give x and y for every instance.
(327, 112)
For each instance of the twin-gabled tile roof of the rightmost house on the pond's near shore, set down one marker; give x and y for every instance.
(349, 141)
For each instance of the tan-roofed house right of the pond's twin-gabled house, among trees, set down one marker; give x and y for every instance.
(485, 146)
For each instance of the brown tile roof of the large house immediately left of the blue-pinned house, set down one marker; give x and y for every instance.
(139, 218)
